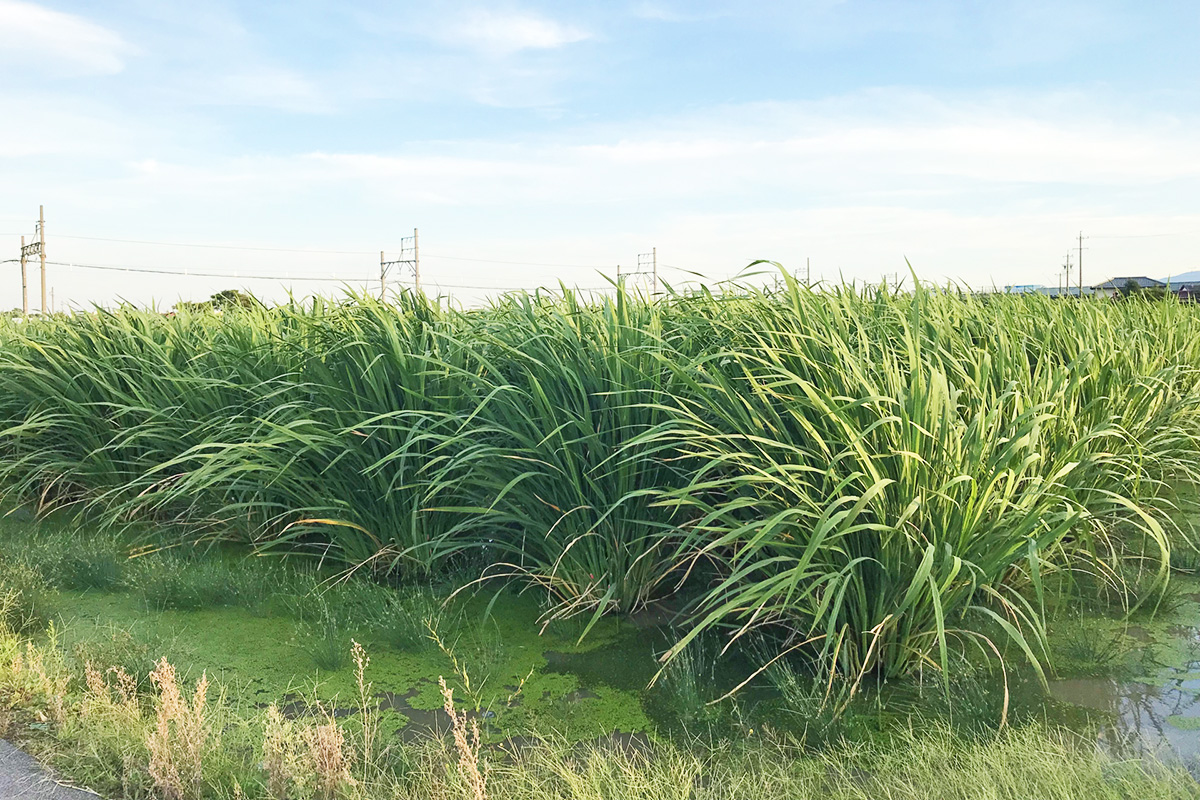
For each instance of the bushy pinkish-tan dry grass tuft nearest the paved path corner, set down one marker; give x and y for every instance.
(181, 737)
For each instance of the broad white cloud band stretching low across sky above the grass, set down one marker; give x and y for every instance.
(977, 191)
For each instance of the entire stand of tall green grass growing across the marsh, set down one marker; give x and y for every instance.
(868, 479)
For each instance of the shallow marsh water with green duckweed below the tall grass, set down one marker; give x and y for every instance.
(1132, 682)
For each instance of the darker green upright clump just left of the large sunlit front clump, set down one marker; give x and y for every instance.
(571, 497)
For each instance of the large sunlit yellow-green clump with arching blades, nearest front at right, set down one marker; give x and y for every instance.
(874, 491)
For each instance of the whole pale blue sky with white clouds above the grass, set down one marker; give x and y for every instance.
(549, 141)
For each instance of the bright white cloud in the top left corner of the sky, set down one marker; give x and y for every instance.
(58, 43)
